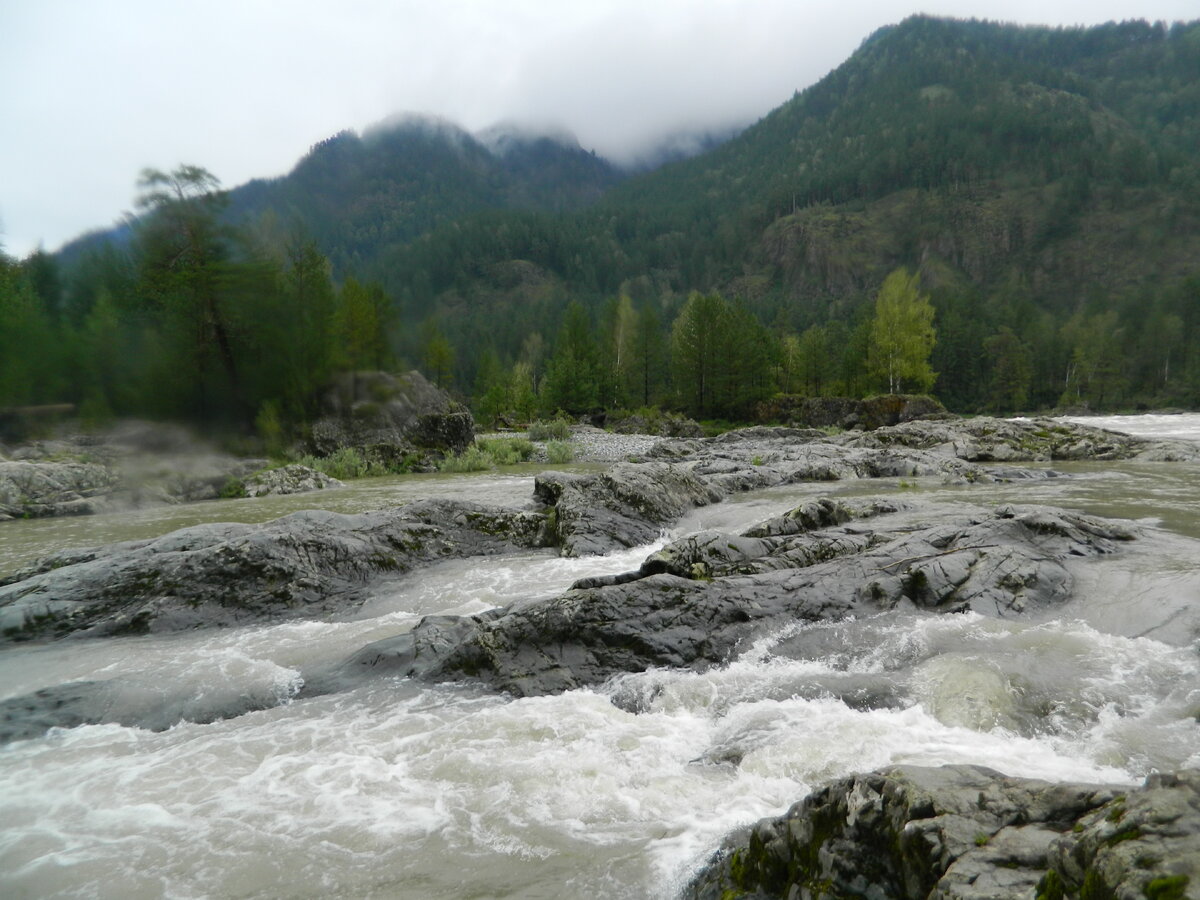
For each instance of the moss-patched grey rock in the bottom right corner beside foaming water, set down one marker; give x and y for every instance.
(968, 833)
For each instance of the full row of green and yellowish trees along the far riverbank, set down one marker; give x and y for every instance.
(195, 320)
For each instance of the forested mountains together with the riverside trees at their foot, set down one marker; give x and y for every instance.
(1042, 183)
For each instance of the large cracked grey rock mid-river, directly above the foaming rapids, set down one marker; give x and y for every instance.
(700, 601)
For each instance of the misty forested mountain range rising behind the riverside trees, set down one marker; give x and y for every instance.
(1043, 184)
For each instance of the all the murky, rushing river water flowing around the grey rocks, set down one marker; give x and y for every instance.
(400, 790)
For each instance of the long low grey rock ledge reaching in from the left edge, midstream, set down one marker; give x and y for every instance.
(304, 566)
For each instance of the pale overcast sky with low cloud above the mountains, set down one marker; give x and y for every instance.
(94, 91)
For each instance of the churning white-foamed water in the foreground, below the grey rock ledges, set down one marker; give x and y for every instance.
(412, 791)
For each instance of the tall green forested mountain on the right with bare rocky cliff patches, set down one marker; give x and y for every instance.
(1036, 177)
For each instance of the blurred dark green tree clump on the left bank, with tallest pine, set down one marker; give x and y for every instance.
(188, 320)
